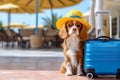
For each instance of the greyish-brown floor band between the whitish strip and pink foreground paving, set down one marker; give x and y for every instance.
(30, 63)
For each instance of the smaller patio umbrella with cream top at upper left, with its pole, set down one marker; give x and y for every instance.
(11, 8)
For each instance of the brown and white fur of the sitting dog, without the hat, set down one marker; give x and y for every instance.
(74, 34)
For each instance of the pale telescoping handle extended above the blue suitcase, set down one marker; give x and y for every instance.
(110, 20)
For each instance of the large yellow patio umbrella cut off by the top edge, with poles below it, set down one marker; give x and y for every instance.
(46, 4)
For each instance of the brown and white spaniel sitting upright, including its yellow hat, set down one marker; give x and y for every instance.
(73, 30)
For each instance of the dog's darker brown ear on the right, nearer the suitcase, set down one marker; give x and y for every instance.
(83, 35)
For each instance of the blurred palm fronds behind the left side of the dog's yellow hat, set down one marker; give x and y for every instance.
(50, 23)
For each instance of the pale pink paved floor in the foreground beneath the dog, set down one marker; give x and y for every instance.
(36, 75)
